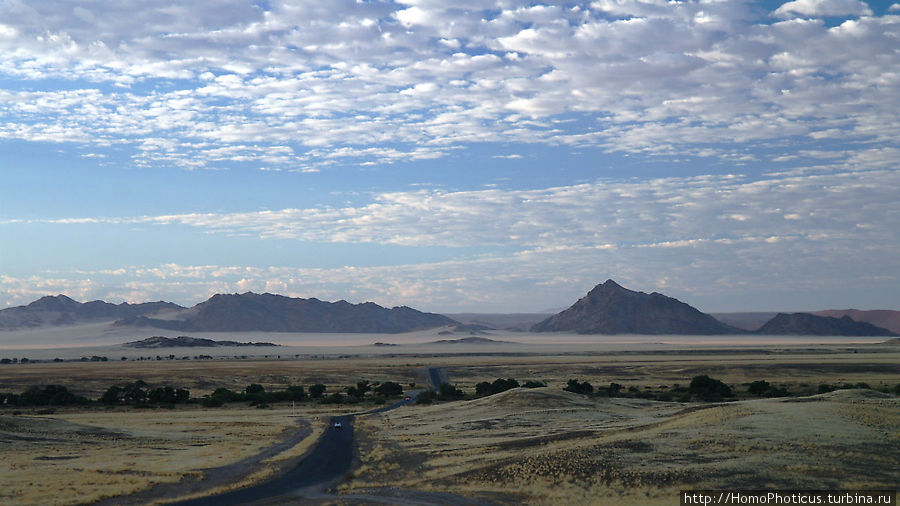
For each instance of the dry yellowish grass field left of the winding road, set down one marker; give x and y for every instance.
(96, 454)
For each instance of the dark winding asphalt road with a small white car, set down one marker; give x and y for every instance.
(329, 460)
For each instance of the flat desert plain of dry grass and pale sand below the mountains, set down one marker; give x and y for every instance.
(522, 446)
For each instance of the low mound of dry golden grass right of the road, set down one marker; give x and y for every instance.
(544, 446)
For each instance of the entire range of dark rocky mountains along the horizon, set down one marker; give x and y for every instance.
(607, 309)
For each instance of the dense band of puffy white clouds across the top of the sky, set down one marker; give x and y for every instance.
(659, 78)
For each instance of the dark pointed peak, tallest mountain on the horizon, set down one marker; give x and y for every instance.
(611, 309)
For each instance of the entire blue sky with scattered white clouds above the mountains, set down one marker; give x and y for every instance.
(466, 156)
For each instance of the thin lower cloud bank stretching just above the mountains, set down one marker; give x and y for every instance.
(711, 235)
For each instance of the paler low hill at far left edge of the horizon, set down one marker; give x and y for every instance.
(61, 310)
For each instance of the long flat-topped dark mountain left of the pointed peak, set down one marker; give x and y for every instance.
(277, 313)
